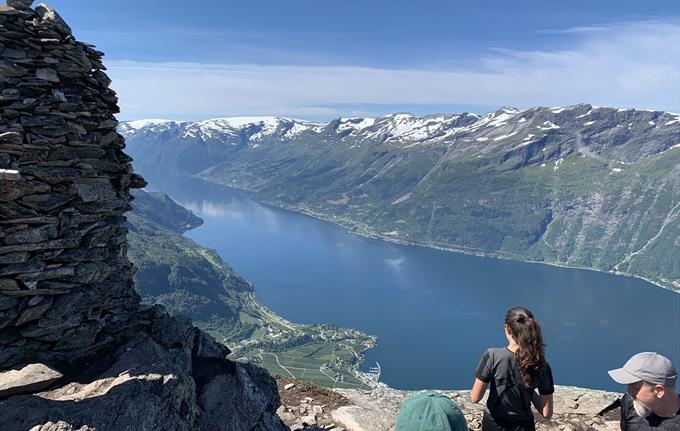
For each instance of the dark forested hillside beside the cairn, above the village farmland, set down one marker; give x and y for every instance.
(178, 273)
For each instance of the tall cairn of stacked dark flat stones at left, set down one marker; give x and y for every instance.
(65, 282)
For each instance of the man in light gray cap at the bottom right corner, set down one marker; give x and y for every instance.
(651, 401)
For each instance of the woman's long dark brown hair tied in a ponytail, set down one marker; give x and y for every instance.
(530, 355)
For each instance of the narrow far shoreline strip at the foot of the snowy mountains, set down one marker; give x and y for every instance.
(470, 252)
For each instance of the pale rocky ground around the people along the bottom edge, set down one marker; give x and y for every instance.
(309, 407)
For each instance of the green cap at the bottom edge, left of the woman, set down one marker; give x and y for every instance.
(430, 411)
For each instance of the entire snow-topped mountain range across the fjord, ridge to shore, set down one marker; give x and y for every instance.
(579, 185)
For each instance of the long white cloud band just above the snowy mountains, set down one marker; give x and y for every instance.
(622, 65)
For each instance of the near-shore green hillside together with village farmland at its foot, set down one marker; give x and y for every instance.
(193, 281)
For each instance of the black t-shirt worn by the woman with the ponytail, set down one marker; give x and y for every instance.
(509, 398)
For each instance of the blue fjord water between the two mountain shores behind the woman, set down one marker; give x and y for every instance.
(434, 312)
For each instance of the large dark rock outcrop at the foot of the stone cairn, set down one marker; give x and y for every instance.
(154, 382)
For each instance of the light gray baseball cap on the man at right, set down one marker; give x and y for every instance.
(646, 366)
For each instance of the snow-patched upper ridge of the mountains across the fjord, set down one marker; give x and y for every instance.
(406, 129)
